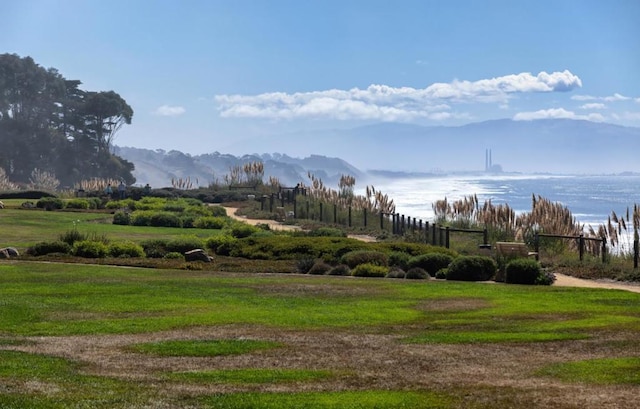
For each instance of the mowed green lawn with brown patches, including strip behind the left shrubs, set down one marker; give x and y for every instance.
(99, 336)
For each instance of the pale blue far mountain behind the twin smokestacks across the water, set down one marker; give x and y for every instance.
(550, 145)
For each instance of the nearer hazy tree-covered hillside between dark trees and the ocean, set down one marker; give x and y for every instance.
(158, 167)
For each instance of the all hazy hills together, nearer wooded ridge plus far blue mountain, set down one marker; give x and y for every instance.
(541, 146)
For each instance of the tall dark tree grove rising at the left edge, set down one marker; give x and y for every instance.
(49, 123)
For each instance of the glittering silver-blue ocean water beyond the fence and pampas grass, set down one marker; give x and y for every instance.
(591, 199)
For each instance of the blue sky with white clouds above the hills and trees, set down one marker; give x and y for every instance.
(203, 75)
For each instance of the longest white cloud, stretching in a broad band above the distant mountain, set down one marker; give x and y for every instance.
(386, 103)
